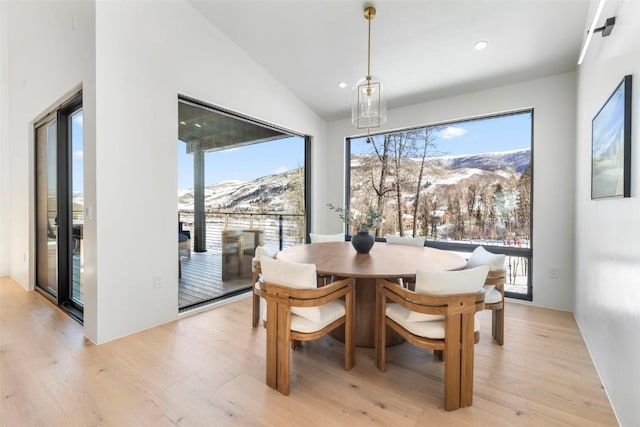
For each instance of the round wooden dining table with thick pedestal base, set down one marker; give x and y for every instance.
(383, 261)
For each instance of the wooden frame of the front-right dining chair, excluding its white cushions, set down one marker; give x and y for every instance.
(457, 346)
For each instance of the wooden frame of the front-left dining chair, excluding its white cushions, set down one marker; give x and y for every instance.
(280, 299)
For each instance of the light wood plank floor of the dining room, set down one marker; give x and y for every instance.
(208, 370)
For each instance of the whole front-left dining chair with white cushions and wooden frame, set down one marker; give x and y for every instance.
(299, 311)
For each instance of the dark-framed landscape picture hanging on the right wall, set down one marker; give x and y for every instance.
(611, 145)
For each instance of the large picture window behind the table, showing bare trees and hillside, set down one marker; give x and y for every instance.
(459, 184)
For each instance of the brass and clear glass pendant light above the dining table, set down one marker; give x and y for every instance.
(369, 109)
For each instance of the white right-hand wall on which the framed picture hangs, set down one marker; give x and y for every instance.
(607, 305)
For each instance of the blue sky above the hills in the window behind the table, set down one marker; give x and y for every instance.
(494, 134)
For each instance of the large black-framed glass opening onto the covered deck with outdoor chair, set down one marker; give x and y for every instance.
(242, 183)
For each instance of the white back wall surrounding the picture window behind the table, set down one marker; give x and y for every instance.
(553, 100)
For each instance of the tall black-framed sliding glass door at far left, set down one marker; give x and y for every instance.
(59, 206)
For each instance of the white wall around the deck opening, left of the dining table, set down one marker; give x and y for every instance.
(148, 53)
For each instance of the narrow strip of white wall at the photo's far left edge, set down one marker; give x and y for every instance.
(5, 201)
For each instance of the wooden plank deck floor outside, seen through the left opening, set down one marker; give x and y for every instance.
(206, 278)
